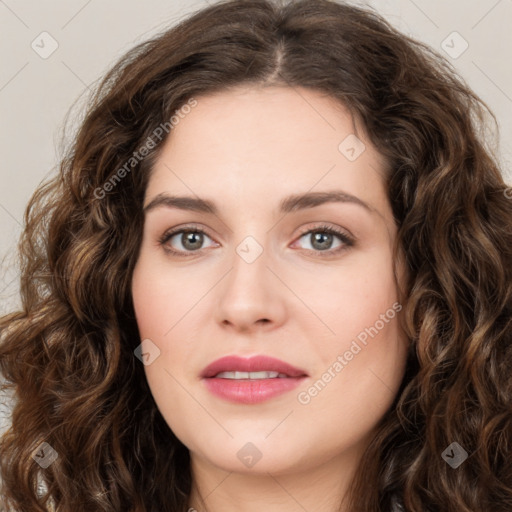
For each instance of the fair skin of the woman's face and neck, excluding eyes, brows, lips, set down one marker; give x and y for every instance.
(246, 149)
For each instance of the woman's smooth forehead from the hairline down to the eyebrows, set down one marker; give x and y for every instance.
(250, 144)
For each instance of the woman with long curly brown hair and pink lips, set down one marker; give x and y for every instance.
(273, 273)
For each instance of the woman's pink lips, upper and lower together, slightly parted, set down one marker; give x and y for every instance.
(249, 391)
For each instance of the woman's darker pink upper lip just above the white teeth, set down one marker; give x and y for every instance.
(251, 364)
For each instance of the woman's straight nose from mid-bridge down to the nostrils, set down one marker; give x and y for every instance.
(251, 296)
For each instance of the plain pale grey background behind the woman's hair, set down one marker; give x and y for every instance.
(36, 93)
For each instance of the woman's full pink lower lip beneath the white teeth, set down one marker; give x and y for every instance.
(245, 391)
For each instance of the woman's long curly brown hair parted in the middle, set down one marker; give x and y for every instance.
(68, 355)
